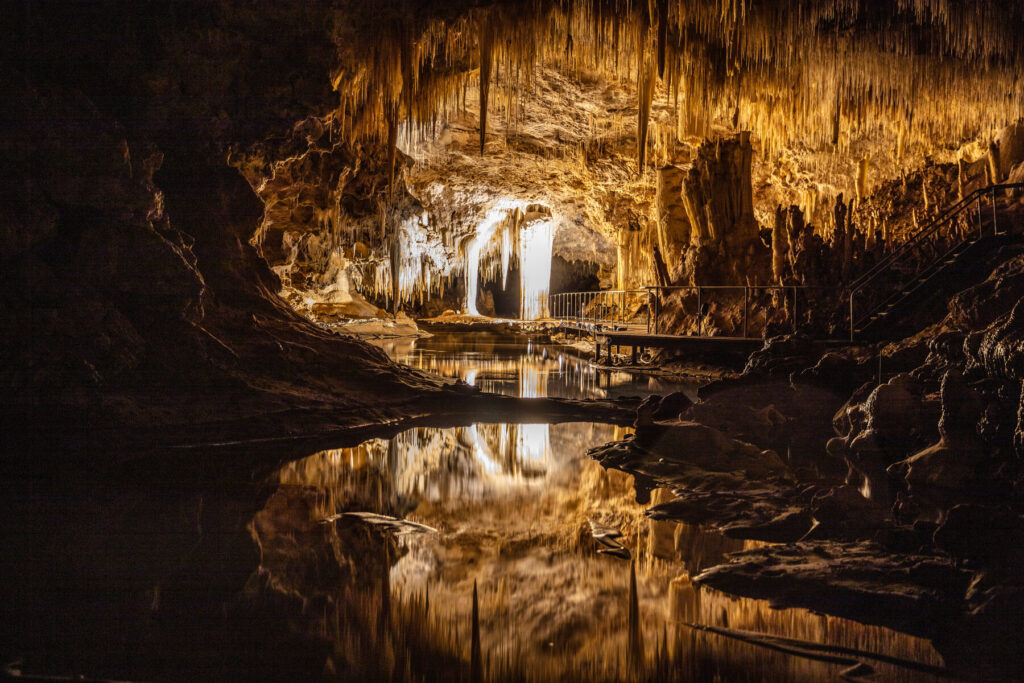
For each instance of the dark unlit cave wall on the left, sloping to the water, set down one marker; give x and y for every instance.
(134, 297)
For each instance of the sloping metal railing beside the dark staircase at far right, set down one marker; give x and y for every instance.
(922, 255)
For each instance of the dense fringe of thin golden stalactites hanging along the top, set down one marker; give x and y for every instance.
(785, 72)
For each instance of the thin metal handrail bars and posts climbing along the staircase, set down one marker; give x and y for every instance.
(915, 244)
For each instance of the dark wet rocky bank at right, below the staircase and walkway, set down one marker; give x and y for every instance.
(898, 502)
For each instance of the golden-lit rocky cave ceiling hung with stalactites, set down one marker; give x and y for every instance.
(583, 100)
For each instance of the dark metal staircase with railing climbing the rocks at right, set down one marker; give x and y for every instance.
(878, 297)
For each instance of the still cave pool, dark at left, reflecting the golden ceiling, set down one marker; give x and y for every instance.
(222, 570)
